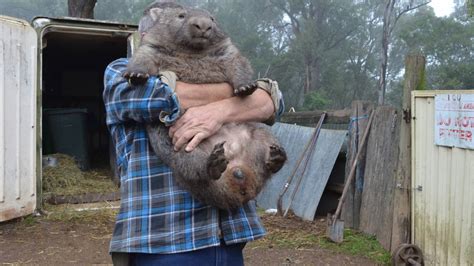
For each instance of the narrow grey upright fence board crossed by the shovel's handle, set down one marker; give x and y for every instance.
(351, 207)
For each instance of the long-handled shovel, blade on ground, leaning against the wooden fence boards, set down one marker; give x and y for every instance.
(335, 227)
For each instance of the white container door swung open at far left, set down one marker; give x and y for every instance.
(17, 118)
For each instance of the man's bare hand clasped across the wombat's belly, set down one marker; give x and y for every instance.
(196, 124)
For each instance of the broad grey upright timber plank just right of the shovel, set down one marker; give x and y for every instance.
(376, 213)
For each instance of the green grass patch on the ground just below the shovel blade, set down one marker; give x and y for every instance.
(358, 244)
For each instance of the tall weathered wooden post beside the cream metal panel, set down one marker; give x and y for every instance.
(414, 80)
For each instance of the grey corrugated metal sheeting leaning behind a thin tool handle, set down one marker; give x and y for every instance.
(294, 139)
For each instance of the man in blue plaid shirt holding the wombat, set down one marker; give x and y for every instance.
(159, 222)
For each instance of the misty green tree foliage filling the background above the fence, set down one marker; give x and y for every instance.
(324, 54)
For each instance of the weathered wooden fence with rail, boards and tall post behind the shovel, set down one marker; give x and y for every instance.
(378, 201)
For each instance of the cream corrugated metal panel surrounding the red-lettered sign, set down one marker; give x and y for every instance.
(443, 190)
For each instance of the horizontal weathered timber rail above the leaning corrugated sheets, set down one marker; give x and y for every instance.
(311, 118)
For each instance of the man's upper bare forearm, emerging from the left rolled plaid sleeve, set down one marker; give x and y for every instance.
(191, 95)
